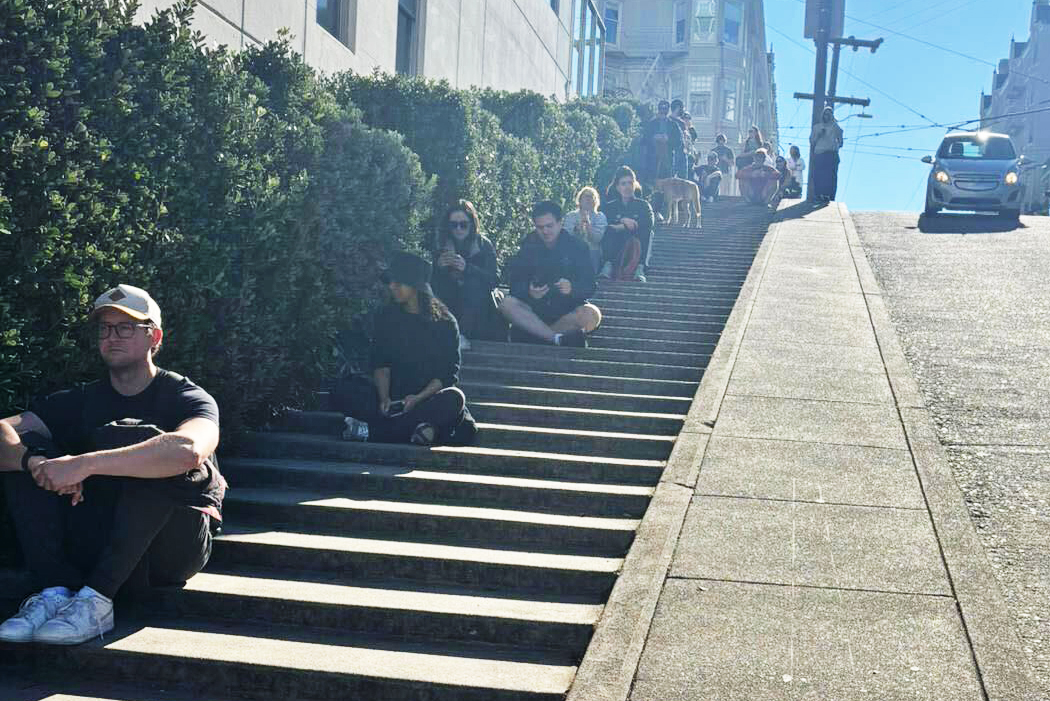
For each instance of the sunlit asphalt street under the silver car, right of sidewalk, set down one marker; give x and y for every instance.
(971, 301)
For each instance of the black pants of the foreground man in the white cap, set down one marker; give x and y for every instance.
(125, 534)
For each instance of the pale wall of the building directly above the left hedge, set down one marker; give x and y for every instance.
(555, 48)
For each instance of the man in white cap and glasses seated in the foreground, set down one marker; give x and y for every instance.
(97, 511)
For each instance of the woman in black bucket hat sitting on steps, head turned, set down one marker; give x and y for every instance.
(415, 360)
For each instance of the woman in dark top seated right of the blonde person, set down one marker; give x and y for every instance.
(629, 217)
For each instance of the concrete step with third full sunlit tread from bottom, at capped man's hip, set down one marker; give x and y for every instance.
(573, 578)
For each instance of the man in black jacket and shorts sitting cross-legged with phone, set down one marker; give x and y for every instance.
(552, 279)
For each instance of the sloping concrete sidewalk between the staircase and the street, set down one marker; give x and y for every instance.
(808, 540)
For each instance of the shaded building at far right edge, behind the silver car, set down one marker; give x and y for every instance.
(1019, 105)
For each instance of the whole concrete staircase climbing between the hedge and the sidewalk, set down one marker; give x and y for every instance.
(366, 571)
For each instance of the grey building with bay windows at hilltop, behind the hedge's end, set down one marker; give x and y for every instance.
(710, 54)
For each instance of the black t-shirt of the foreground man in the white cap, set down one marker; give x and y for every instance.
(72, 416)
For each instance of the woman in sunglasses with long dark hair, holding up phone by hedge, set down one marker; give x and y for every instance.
(466, 270)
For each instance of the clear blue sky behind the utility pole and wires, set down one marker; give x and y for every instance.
(877, 173)
